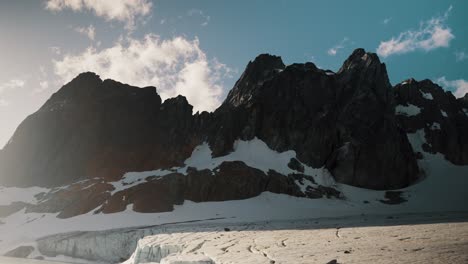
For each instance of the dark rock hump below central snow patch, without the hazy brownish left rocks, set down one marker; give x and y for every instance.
(229, 181)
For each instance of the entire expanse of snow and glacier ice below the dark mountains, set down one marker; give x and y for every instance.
(442, 190)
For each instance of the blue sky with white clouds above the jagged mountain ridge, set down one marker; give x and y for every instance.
(199, 48)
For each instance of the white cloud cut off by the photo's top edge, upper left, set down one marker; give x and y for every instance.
(121, 10)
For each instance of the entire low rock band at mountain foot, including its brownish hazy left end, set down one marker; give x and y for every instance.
(229, 181)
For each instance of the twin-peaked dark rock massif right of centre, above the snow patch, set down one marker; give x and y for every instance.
(350, 123)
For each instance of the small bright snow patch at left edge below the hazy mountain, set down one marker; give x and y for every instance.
(9, 195)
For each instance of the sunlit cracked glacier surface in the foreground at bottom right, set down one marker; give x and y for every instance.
(319, 241)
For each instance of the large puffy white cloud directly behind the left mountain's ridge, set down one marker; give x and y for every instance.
(174, 66)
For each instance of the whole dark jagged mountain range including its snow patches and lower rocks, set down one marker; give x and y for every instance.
(99, 146)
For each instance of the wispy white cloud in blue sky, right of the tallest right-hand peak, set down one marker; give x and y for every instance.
(431, 34)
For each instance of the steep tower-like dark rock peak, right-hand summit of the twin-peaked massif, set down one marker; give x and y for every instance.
(373, 151)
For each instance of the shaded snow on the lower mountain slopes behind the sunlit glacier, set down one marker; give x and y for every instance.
(443, 189)
